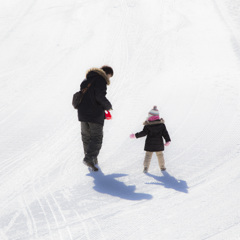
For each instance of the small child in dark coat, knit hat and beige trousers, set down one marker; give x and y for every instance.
(155, 130)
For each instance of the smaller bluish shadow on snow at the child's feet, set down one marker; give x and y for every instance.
(169, 181)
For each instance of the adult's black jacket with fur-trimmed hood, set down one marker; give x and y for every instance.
(94, 103)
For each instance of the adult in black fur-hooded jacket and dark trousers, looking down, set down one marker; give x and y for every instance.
(91, 112)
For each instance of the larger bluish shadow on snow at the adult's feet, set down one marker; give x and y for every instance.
(108, 184)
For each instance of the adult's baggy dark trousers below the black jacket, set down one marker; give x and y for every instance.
(92, 136)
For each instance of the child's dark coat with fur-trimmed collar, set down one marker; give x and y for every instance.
(155, 132)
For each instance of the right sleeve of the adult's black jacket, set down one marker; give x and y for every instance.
(100, 94)
